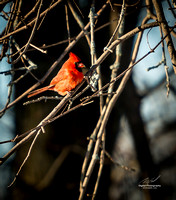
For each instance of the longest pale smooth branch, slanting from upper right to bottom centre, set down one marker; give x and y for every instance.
(105, 115)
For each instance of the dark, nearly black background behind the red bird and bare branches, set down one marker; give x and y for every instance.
(65, 141)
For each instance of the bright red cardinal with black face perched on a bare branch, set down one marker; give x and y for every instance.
(68, 77)
